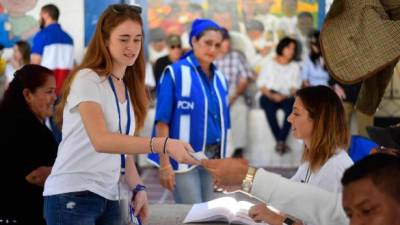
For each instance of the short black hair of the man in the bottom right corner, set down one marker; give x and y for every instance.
(382, 169)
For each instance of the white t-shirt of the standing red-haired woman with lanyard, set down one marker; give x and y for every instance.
(78, 167)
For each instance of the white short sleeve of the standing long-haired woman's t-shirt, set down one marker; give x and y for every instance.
(85, 88)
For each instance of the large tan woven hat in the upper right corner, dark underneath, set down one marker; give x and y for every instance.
(360, 40)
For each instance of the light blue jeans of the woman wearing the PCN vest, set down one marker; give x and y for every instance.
(194, 186)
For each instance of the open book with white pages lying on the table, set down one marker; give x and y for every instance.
(226, 209)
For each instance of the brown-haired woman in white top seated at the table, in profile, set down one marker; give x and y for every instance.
(318, 119)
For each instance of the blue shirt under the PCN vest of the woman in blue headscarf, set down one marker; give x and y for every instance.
(166, 102)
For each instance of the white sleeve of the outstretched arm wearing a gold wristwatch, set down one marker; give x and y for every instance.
(305, 202)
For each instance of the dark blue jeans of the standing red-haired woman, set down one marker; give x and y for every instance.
(81, 208)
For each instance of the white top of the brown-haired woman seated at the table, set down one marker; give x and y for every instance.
(329, 175)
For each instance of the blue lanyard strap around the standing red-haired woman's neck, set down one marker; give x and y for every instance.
(128, 121)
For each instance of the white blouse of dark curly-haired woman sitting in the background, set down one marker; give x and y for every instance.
(280, 78)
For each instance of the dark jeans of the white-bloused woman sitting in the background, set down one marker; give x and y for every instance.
(270, 107)
